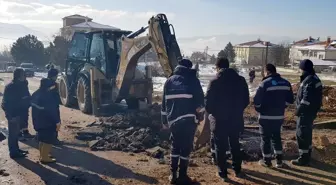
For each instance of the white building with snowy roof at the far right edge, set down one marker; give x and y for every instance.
(313, 49)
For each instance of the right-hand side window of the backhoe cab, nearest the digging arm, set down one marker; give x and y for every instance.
(97, 52)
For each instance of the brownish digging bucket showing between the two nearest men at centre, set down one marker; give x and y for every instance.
(204, 132)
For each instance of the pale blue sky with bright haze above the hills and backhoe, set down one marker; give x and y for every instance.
(191, 18)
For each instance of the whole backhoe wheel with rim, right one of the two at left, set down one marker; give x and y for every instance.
(84, 95)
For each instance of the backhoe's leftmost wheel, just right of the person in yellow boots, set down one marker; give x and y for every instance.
(66, 99)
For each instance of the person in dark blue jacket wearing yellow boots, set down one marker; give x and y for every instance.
(46, 118)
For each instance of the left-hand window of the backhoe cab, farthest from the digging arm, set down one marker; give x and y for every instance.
(78, 47)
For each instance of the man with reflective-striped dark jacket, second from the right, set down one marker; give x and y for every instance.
(273, 96)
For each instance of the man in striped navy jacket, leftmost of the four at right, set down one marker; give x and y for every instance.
(182, 108)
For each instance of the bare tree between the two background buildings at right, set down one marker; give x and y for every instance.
(279, 54)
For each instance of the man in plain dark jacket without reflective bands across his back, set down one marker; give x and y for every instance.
(226, 98)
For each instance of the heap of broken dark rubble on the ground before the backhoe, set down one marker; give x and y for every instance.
(128, 132)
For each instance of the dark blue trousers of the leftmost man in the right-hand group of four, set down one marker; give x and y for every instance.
(182, 137)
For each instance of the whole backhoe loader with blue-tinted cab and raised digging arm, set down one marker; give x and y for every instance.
(101, 66)
